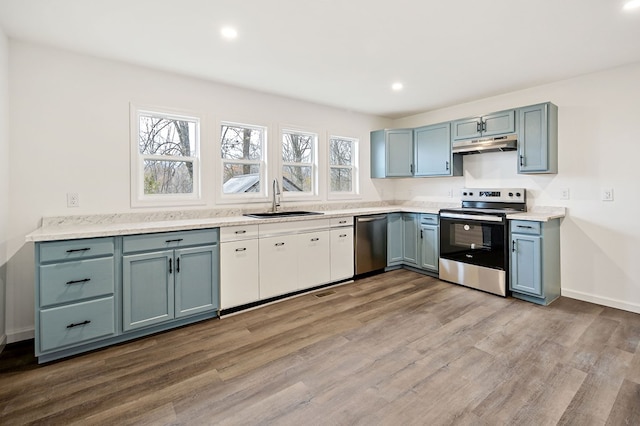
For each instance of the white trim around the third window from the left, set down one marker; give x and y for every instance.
(300, 196)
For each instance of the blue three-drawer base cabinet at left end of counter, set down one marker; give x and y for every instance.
(75, 294)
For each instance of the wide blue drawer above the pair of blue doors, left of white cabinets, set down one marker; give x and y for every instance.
(169, 240)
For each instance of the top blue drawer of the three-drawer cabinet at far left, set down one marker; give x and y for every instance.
(75, 249)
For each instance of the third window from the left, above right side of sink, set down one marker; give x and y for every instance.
(299, 162)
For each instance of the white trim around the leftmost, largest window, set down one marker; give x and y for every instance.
(138, 197)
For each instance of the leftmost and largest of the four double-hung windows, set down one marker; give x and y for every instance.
(165, 165)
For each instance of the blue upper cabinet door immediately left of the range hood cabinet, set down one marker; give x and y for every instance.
(433, 150)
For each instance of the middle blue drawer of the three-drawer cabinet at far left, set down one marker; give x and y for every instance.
(73, 281)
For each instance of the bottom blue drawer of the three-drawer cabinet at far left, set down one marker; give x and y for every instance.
(77, 323)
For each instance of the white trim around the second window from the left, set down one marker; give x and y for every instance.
(257, 197)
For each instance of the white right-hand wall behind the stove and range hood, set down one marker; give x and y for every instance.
(599, 147)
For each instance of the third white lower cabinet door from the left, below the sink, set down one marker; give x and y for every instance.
(314, 259)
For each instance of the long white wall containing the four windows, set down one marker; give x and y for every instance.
(70, 133)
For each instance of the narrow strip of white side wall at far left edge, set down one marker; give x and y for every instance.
(4, 176)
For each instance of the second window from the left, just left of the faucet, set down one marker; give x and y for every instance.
(242, 149)
